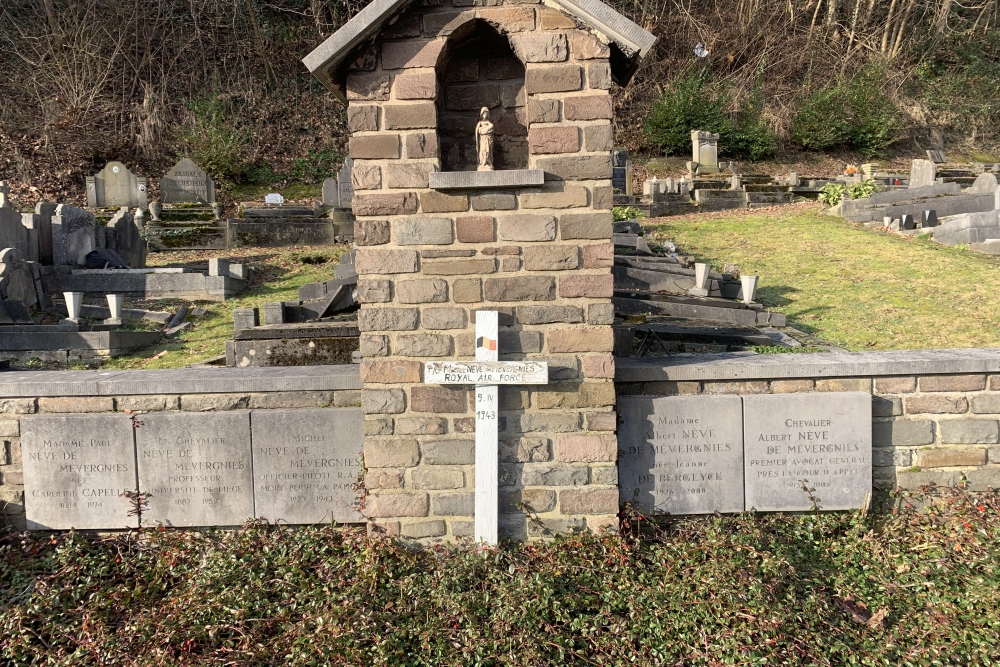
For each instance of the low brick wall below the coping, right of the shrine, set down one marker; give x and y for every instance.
(926, 429)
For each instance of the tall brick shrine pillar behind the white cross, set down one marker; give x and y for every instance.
(427, 260)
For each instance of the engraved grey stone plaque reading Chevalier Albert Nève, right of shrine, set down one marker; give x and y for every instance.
(822, 441)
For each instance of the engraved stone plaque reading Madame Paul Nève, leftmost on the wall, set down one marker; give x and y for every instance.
(75, 470)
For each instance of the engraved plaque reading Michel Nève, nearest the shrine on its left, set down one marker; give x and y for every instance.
(306, 465)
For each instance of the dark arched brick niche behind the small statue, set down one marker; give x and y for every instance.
(479, 69)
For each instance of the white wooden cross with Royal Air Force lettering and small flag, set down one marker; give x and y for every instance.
(486, 372)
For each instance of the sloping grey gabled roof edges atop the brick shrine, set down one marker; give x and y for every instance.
(629, 42)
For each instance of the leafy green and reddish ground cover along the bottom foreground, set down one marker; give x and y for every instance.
(848, 588)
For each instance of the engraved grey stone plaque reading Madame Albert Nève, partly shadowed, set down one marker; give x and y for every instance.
(681, 454)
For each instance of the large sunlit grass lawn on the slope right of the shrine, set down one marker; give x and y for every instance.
(856, 288)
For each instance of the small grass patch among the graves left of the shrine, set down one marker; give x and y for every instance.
(280, 273)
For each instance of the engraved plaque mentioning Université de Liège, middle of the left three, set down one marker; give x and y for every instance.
(197, 468)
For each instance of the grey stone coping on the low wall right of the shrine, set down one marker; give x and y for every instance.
(750, 366)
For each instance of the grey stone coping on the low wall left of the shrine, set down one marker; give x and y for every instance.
(180, 381)
